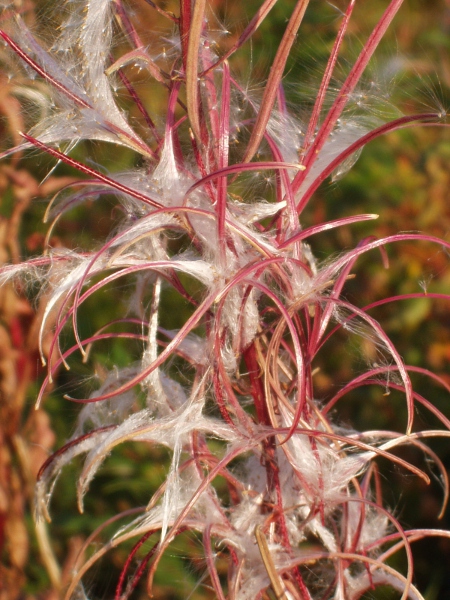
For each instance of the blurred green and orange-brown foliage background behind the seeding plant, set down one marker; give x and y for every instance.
(404, 177)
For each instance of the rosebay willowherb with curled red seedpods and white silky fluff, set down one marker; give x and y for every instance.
(231, 392)
